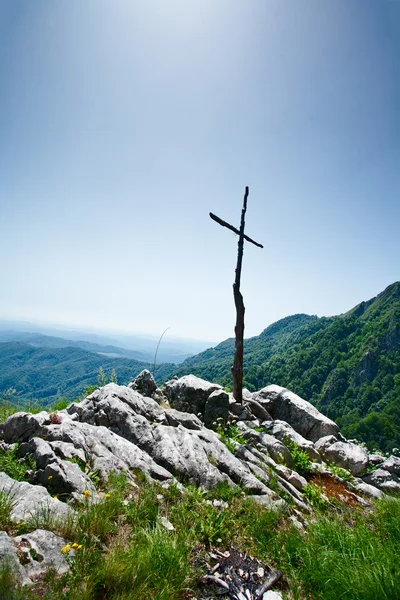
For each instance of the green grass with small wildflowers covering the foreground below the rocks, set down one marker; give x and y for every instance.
(126, 553)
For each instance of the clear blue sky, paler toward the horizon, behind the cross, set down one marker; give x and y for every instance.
(124, 123)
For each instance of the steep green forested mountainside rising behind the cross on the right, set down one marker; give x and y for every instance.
(348, 366)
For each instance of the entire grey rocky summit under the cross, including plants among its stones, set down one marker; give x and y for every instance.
(190, 432)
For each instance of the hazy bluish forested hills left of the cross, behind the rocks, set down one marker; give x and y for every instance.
(45, 374)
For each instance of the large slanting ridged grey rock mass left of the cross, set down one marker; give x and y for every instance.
(118, 429)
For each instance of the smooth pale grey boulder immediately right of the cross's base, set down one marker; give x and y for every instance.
(300, 414)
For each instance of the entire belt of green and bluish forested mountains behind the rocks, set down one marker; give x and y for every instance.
(347, 365)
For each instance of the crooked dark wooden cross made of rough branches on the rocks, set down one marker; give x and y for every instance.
(237, 368)
